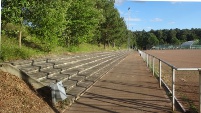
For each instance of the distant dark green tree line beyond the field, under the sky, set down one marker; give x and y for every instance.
(146, 40)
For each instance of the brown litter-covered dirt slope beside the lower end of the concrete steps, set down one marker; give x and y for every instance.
(16, 96)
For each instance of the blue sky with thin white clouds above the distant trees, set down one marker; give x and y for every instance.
(159, 14)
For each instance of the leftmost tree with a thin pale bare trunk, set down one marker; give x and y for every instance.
(13, 13)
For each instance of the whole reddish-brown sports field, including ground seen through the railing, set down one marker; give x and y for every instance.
(186, 85)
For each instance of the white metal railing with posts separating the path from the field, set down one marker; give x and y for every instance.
(151, 65)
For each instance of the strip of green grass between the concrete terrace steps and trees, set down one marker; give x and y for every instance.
(10, 50)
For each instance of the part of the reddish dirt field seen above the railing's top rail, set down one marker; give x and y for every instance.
(179, 58)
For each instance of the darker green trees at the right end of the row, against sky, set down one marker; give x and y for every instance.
(114, 28)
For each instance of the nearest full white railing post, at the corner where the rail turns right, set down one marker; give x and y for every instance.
(173, 89)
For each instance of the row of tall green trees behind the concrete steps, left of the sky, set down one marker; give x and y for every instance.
(45, 24)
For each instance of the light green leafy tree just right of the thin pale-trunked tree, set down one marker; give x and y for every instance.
(47, 20)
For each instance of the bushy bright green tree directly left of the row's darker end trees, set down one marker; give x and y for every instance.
(84, 18)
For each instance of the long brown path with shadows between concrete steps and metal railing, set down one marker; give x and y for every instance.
(128, 88)
